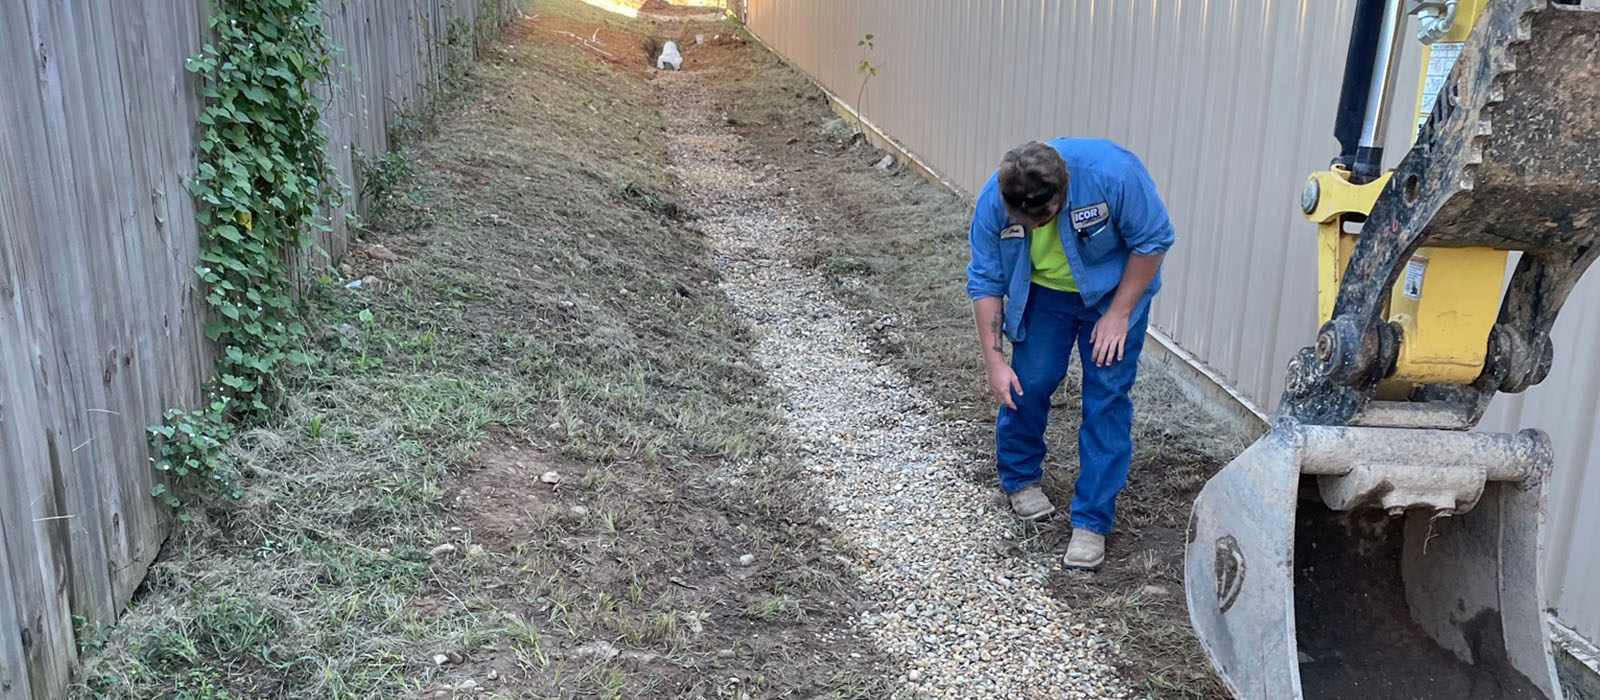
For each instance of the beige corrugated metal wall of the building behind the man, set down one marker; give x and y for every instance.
(1231, 105)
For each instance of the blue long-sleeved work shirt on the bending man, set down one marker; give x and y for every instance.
(1111, 212)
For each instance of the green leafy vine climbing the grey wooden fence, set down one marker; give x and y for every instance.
(262, 186)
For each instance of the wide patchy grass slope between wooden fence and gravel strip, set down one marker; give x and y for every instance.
(551, 312)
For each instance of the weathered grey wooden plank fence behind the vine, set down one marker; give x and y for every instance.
(100, 309)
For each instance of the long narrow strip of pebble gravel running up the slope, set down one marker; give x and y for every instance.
(967, 619)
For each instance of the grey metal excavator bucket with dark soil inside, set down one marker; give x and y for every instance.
(1334, 563)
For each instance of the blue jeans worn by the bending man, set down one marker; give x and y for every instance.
(1055, 322)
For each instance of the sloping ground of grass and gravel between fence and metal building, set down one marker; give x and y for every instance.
(654, 384)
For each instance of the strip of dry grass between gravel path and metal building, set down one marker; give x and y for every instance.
(897, 245)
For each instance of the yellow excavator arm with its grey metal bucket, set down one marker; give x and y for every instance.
(1374, 544)
